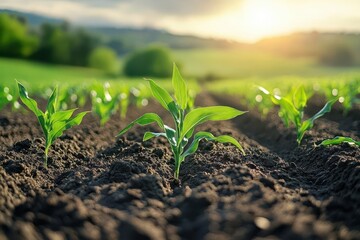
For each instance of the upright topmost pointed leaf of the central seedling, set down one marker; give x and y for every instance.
(180, 89)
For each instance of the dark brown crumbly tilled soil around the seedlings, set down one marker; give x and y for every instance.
(100, 187)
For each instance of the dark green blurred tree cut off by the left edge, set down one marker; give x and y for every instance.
(15, 41)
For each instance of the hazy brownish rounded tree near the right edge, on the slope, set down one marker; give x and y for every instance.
(337, 55)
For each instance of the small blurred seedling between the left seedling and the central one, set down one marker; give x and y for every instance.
(103, 104)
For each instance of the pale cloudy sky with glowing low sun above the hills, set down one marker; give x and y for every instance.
(241, 20)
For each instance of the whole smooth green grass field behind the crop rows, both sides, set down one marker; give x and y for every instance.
(239, 70)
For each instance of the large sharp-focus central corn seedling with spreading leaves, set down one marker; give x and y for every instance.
(184, 122)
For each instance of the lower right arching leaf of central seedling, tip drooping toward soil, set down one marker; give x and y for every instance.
(210, 137)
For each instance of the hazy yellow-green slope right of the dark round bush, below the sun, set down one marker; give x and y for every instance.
(245, 63)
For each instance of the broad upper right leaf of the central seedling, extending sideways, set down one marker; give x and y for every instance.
(204, 114)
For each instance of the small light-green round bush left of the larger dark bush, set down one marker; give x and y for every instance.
(105, 59)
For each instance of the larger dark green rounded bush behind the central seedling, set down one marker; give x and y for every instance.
(150, 62)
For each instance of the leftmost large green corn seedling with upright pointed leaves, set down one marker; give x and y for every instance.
(53, 122)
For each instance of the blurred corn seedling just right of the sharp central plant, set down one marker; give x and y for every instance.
(292, 110)
